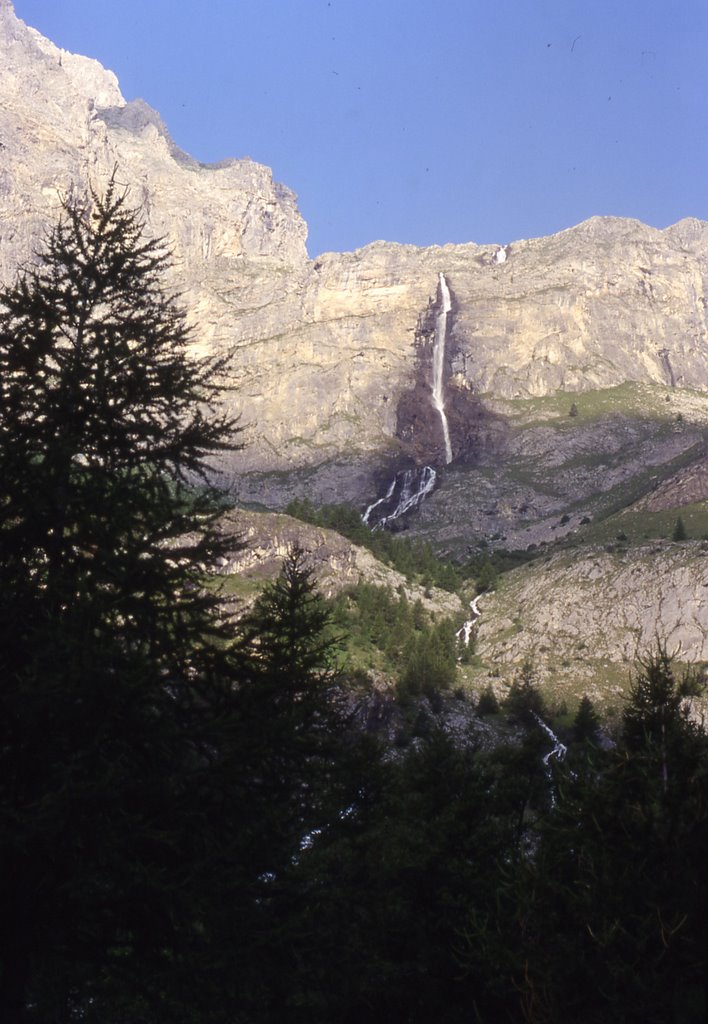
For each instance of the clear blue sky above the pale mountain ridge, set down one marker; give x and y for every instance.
(425, 122)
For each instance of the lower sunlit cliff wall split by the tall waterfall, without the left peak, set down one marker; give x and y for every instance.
(335, 364)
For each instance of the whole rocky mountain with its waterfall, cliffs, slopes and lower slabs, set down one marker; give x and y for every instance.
(571, 373)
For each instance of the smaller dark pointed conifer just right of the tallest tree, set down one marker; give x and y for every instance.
(291, 710)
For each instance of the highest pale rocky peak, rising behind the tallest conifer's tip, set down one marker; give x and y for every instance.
(64, 124)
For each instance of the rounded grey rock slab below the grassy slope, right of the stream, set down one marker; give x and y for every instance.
(612, 607)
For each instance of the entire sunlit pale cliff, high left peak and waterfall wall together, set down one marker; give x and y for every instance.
(329, 369)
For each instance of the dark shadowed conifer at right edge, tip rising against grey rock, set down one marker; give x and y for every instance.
(618, 883)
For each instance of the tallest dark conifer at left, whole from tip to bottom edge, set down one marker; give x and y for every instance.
(113, 692)
